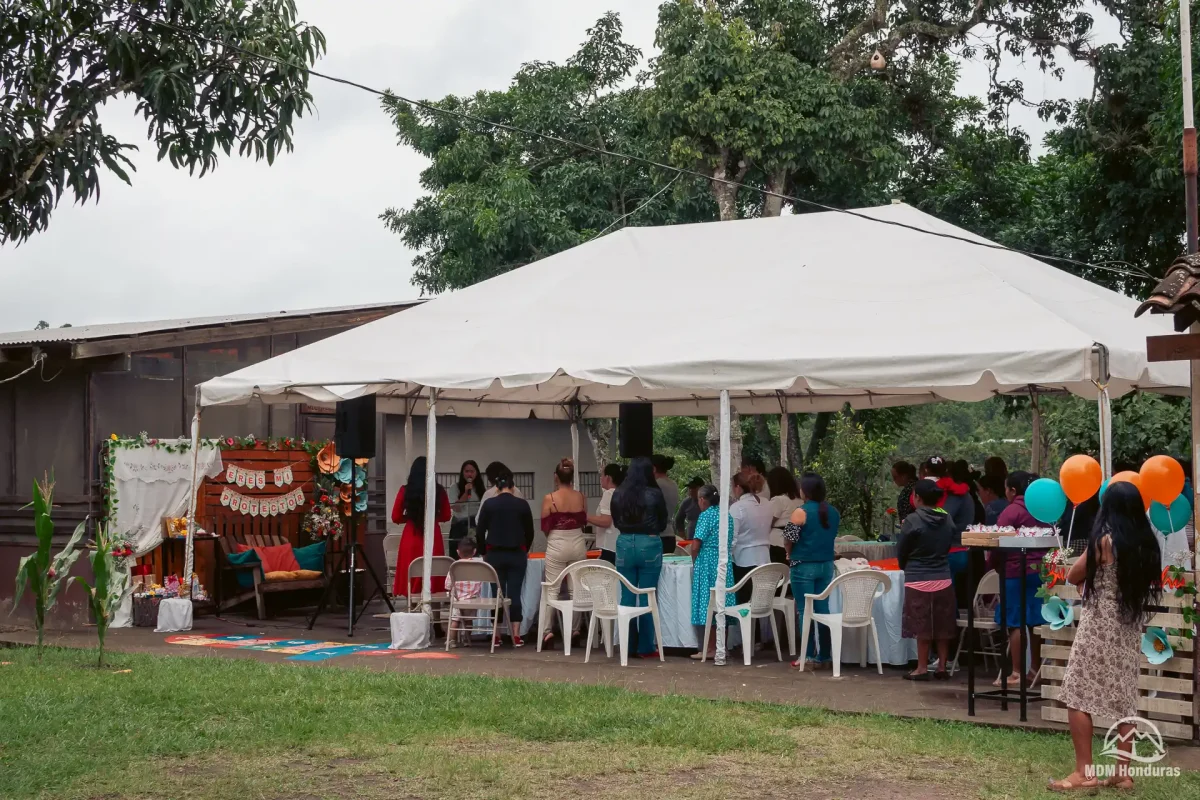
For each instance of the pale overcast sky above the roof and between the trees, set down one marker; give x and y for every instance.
(305, 232)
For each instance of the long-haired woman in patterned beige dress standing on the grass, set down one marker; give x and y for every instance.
(1121, 580)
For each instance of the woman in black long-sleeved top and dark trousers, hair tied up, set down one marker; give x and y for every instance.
(506, 534)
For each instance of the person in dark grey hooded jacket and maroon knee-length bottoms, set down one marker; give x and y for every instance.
(931, 613)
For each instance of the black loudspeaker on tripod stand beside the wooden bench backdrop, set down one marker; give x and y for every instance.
(355, 437)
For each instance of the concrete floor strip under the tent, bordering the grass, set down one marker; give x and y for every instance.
(857, 691)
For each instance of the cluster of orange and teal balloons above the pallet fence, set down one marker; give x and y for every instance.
(1161, 484)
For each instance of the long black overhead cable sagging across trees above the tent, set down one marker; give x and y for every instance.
(650, 163)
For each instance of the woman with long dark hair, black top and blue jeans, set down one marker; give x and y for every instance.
(640, 515)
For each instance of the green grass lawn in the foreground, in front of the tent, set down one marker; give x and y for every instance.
(224, 729)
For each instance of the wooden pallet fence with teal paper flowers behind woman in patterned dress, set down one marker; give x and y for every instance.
(1166, 693)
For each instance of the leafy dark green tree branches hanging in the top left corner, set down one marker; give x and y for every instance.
(61, 61)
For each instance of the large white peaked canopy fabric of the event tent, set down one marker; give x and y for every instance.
(796, 314)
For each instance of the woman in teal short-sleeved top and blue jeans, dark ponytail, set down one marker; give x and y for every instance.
(808, 539)
